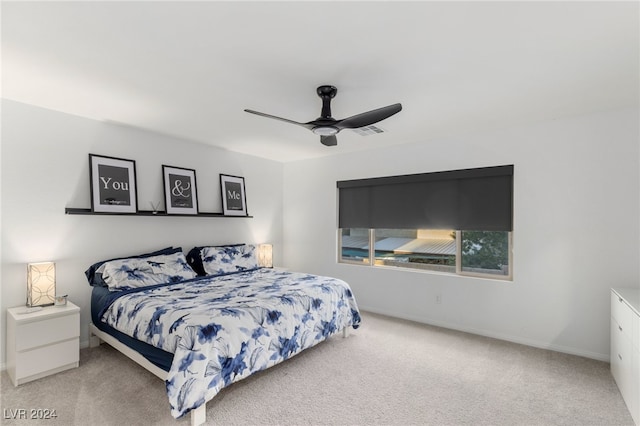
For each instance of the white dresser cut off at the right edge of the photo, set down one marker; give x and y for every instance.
(625, 346)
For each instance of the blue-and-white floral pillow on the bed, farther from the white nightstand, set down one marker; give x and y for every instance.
(226, 259)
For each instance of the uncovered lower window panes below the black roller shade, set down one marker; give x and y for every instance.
(480, 252)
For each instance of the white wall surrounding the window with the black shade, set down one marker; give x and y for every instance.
(576, 230)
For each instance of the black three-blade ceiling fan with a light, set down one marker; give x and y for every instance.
(327, 127)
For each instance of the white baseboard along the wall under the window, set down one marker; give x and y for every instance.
(493, 335)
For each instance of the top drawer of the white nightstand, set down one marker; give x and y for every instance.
(39, 333)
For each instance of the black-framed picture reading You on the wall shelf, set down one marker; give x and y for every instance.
(113, 184)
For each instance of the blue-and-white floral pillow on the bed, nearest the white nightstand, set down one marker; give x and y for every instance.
(129, 273)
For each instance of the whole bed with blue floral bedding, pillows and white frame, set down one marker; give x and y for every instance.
(204, 323)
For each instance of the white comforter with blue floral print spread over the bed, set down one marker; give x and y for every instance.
(222, 329)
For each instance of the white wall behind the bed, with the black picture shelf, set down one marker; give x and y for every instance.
(45, 168)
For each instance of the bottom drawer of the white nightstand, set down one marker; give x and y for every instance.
(47, 358)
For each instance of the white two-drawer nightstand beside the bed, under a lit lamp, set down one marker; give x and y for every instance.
(43, 342)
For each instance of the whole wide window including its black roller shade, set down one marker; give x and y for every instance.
(457, 221)
